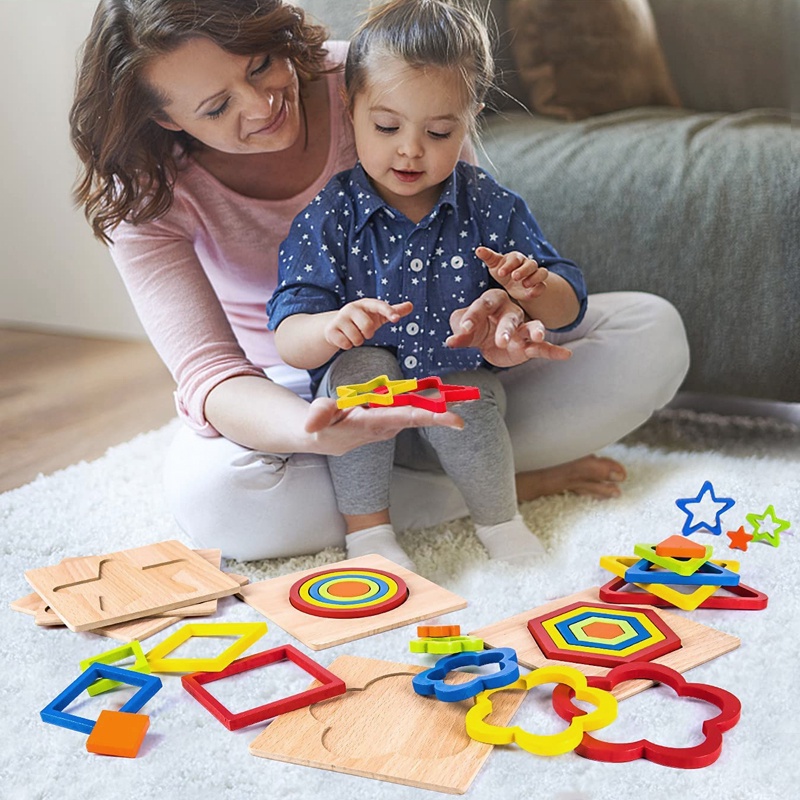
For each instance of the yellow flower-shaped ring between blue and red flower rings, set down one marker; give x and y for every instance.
(553, 744)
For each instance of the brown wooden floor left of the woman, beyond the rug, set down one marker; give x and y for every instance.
(64, 399)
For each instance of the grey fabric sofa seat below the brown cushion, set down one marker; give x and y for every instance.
(702, 209)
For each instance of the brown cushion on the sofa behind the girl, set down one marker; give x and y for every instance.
(577, 59)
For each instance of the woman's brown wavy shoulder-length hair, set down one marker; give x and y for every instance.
(128, 161)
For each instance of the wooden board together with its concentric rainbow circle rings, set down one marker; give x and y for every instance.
(421, 600)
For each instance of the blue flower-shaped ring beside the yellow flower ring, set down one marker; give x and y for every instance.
(431, 681)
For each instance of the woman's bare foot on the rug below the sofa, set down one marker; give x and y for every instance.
(591, 476)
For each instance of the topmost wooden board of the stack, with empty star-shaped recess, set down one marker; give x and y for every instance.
(96, 591)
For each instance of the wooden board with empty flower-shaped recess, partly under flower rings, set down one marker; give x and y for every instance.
(381, 728)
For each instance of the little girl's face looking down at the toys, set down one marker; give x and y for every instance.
(410, 125)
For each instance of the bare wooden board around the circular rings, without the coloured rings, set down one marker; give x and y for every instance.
(425, 600)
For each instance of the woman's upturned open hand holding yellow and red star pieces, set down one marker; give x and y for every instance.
(336, 431)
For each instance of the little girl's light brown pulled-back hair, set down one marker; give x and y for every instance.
(424, 33)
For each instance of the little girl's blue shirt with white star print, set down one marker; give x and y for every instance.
(348, 244)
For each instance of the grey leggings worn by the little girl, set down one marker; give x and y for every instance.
(478, 459)
